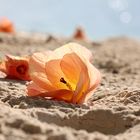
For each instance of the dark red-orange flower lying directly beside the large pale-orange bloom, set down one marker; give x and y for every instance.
(15, 67)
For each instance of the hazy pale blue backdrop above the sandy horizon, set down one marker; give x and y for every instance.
(100, 18)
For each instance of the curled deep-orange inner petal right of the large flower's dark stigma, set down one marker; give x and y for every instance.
(77, 73)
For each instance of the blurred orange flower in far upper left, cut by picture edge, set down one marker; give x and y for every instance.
(6, 25)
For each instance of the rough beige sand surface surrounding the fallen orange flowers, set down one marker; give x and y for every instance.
(113, 113)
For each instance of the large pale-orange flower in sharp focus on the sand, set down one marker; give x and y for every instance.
(65, 74)
